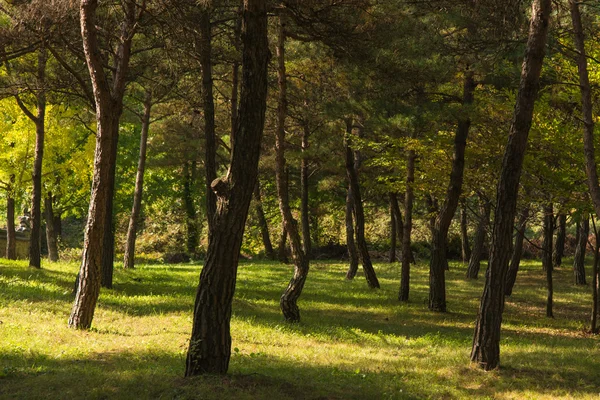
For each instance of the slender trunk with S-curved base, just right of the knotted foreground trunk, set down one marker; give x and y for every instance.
(290, 296)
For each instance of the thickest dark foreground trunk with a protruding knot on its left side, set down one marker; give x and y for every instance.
(210, 344)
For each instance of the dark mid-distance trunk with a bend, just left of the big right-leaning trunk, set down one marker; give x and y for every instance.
(439, 261)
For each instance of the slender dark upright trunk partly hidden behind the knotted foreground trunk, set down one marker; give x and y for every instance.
(205, 53)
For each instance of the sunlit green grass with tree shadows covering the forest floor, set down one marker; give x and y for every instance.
(352, 343)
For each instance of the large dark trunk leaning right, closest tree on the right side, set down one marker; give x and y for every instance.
(486, 339)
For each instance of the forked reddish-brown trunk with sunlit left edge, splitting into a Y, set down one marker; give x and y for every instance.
(108, 99)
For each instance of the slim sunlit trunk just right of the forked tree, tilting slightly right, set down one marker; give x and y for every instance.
(129, 258)
